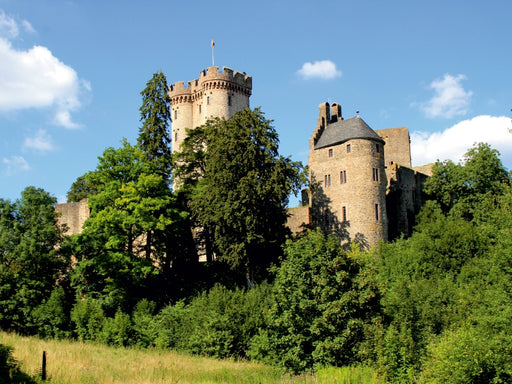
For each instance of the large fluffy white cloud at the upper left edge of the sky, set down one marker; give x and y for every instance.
(35, 78)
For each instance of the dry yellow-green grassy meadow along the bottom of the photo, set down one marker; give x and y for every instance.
(71, 362)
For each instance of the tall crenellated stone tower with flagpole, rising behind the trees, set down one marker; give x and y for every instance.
(213, 94)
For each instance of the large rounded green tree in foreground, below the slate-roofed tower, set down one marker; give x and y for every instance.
(322, 301)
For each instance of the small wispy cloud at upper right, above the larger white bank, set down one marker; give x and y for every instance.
(450, 98)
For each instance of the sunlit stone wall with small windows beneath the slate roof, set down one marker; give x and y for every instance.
(359, 194)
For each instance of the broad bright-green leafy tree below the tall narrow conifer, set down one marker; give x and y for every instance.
(115, 260)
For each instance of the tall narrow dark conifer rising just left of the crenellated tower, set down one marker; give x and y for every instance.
(155, 115)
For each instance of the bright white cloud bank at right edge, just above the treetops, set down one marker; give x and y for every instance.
(454, 142)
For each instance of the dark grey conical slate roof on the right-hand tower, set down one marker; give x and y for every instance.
(344, 130)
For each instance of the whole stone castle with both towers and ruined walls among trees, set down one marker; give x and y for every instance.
(362, 186)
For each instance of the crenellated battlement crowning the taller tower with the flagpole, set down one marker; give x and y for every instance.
(211, 78)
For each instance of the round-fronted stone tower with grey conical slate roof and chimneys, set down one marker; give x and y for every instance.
(348, 177)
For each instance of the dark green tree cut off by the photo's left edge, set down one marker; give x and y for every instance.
(30, 262)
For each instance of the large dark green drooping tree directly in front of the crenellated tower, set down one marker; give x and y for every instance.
(240, 189)
